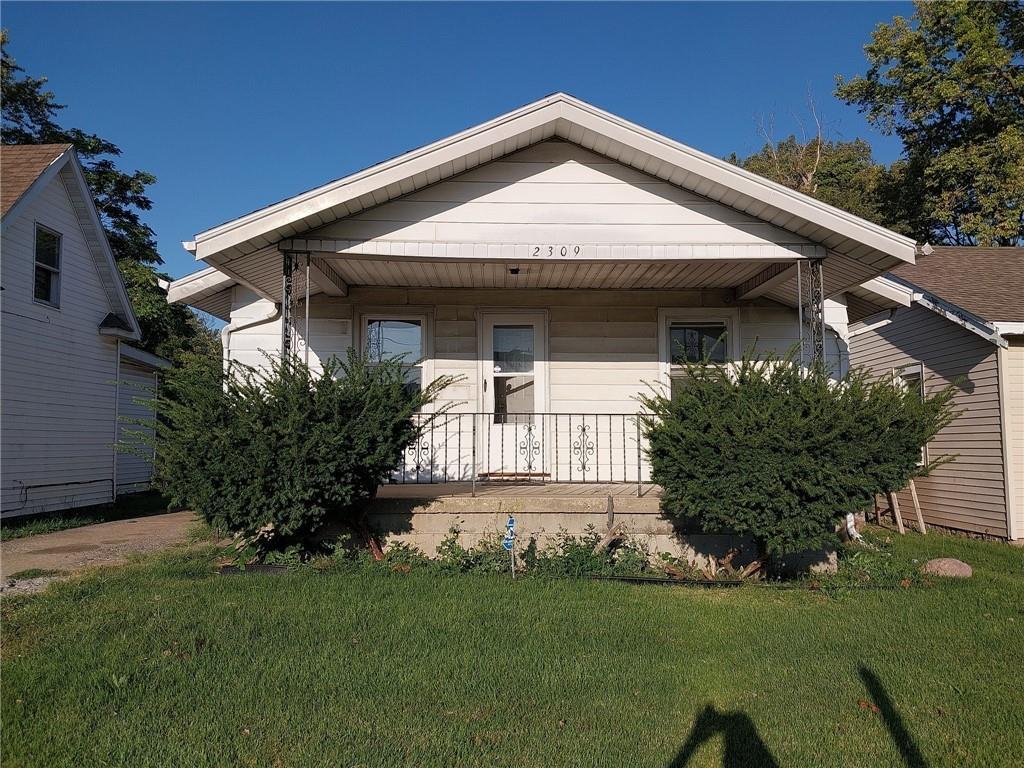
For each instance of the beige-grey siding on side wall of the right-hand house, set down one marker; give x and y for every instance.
(967, 494)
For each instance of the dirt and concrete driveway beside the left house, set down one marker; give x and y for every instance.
(92, 545)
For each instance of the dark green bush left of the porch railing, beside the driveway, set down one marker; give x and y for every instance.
(272, 454)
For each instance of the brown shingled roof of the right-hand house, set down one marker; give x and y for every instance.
(987, 282)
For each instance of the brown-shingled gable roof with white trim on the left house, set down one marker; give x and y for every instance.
(27, 169)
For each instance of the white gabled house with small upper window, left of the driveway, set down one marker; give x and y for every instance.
(66, 374)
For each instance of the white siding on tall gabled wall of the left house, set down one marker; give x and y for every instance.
(58, 372)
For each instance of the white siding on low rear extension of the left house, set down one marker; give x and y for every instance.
(135, 458)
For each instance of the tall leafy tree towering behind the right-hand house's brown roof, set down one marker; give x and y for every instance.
(950, 82)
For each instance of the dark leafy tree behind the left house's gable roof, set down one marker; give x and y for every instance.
(29, 117)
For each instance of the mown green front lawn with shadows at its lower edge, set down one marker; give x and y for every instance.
(164, 663)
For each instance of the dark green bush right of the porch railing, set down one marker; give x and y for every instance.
(781, 454)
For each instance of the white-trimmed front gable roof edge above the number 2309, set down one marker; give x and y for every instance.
(558, 116)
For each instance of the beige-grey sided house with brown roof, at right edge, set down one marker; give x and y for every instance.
(961, 320)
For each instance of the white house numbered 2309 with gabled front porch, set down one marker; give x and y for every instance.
(560, 260)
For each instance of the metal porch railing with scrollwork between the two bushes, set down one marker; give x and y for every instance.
(535, 448)
